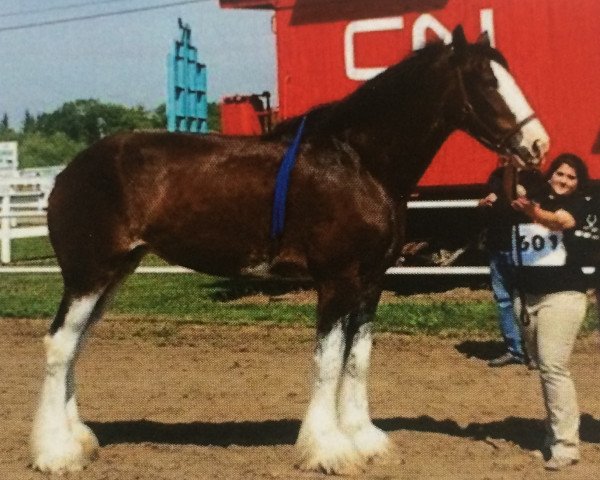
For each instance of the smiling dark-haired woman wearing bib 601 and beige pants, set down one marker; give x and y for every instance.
(552, 289)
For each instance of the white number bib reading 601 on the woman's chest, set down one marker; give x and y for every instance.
(539, 246)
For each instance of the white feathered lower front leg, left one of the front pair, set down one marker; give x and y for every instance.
(321, 444)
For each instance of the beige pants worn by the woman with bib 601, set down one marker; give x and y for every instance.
(554, 321)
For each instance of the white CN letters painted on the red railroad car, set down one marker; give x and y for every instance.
(419, 34)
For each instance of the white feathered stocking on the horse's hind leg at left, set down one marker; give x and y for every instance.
(58, 443)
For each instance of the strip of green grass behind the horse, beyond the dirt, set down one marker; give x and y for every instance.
(196, 298)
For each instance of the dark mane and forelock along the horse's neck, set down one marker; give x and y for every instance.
(404, 76)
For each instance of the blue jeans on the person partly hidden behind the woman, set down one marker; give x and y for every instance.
(502, 276)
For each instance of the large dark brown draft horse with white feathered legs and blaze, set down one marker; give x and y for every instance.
(205, 202)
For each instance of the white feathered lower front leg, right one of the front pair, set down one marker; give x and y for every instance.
(355, 420)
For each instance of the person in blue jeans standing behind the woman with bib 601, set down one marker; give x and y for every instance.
(500, 218)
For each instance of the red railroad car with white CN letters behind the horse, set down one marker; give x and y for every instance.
(326, 48)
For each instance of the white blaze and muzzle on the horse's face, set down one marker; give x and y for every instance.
(535, 136)
